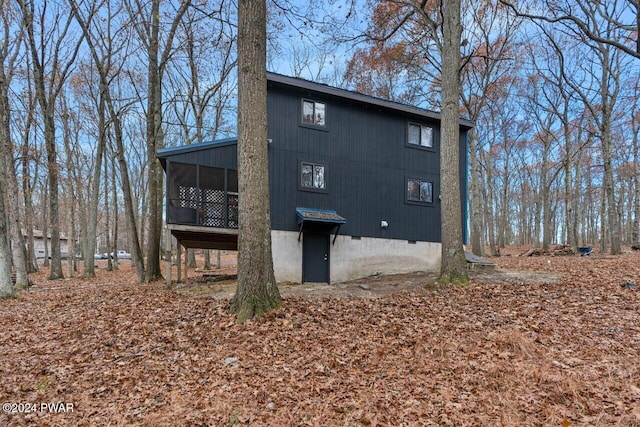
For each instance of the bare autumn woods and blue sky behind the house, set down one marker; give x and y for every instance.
(90, 90)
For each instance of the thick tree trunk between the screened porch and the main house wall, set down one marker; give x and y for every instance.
(257, 291)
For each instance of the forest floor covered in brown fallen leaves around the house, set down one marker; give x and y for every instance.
(539, 341)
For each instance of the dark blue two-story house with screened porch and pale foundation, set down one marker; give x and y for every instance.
(354, 185)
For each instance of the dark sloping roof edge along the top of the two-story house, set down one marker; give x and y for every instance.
(355, 96)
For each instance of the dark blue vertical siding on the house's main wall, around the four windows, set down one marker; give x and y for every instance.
(367, 164)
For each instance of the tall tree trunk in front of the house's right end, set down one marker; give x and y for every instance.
(454, 264)
